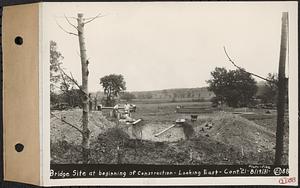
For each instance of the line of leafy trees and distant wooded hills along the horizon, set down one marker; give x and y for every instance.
(235, 88)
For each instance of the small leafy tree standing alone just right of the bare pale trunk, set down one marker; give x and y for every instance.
(112, 84)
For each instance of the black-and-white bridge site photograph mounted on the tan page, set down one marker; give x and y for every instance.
(171, 83)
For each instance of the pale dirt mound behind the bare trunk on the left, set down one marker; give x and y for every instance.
(62, 131)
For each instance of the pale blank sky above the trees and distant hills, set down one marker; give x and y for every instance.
(173, 44)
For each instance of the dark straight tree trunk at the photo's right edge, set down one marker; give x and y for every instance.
(281, 90)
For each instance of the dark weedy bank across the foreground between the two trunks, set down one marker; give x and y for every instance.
(116, 147)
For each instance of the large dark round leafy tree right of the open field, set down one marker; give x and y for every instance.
(234, 87)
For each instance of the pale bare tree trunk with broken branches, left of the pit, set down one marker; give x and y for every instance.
(84, 87)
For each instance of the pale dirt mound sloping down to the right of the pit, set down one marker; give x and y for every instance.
(236, 131)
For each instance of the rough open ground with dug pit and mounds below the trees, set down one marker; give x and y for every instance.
(219, 137)
